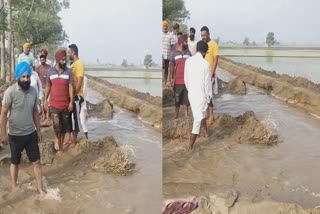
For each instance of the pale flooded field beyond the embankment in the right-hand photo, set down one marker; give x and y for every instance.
(302, 63)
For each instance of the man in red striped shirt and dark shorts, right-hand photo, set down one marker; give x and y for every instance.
(178, 59)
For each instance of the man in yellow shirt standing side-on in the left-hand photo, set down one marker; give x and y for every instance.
(77, 68)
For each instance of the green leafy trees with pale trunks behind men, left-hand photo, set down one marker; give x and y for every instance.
(33, 21)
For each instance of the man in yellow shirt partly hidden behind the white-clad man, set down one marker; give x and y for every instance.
(212, 58)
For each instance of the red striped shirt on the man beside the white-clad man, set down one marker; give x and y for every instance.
(179, 59)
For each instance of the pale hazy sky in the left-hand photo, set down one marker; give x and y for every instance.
(114, 30)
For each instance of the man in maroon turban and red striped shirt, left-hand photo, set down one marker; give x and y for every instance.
(59, 86)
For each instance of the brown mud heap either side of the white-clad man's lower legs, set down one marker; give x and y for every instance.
(245, 128)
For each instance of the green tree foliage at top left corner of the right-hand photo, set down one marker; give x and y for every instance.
(174, 10)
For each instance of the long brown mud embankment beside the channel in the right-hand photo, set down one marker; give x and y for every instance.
(297, 91)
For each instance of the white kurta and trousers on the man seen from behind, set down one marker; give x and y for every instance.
(198, 83)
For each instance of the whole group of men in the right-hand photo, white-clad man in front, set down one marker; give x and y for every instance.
(190, 66)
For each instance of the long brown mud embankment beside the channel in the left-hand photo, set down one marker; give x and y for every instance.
(147, 108)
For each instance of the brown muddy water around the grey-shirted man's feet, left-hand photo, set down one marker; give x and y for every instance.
(79, 190)
